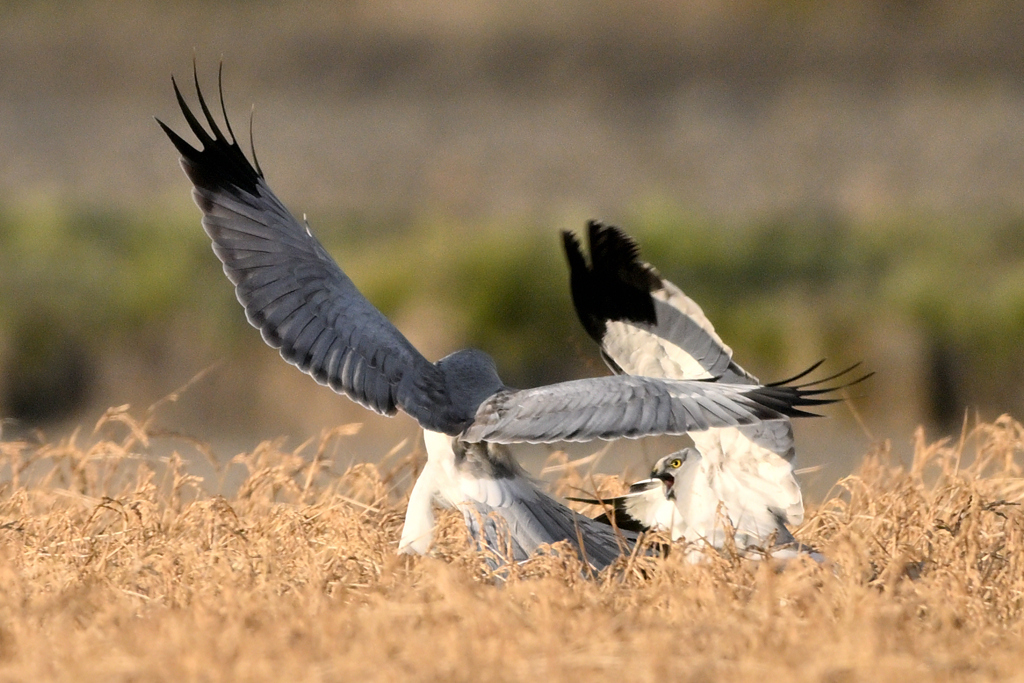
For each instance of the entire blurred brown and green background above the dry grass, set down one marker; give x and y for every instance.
(829, 180)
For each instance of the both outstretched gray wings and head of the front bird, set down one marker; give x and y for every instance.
(309, 309)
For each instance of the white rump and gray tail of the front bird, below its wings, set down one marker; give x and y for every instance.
(504, 509)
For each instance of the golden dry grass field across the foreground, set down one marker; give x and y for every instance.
(120, 566)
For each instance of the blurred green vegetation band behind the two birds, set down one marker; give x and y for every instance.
(78, 285)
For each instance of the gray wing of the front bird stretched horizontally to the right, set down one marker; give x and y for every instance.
(631, 407)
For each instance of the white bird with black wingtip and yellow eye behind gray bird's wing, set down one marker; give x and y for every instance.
(647, 326)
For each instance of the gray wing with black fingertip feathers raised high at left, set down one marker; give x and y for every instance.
(295, 293)
